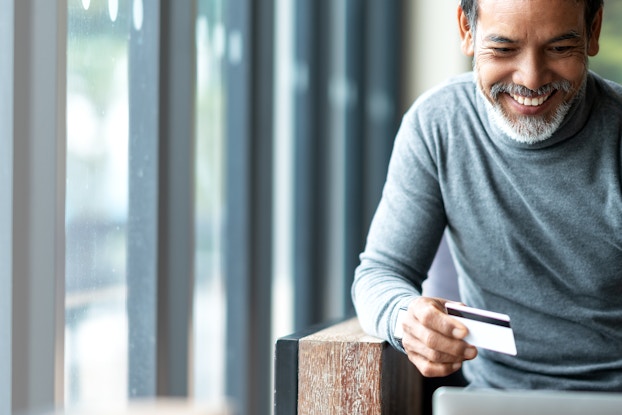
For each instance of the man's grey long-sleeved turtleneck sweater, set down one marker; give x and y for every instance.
(535, 232)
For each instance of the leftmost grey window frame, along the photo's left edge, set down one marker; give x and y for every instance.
(34, 219)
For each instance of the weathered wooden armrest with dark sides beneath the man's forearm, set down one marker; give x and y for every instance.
(338, 369)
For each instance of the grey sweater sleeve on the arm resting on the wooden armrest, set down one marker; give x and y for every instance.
(405, 231)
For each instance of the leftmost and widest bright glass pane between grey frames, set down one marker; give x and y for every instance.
(96, 350)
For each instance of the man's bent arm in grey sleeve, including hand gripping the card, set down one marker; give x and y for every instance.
(403, 239)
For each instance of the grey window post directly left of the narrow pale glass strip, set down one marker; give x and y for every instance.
(176, 250)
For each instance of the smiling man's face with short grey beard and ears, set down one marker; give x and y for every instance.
(530, 58)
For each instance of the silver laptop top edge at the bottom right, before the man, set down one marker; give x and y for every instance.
(461, 401)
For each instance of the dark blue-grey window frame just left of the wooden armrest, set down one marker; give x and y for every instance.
(248, 175)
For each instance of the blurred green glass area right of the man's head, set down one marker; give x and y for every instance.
(608, 62)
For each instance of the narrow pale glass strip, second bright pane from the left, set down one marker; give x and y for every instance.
(209, 301)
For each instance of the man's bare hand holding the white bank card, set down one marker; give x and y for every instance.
(433, 340)
